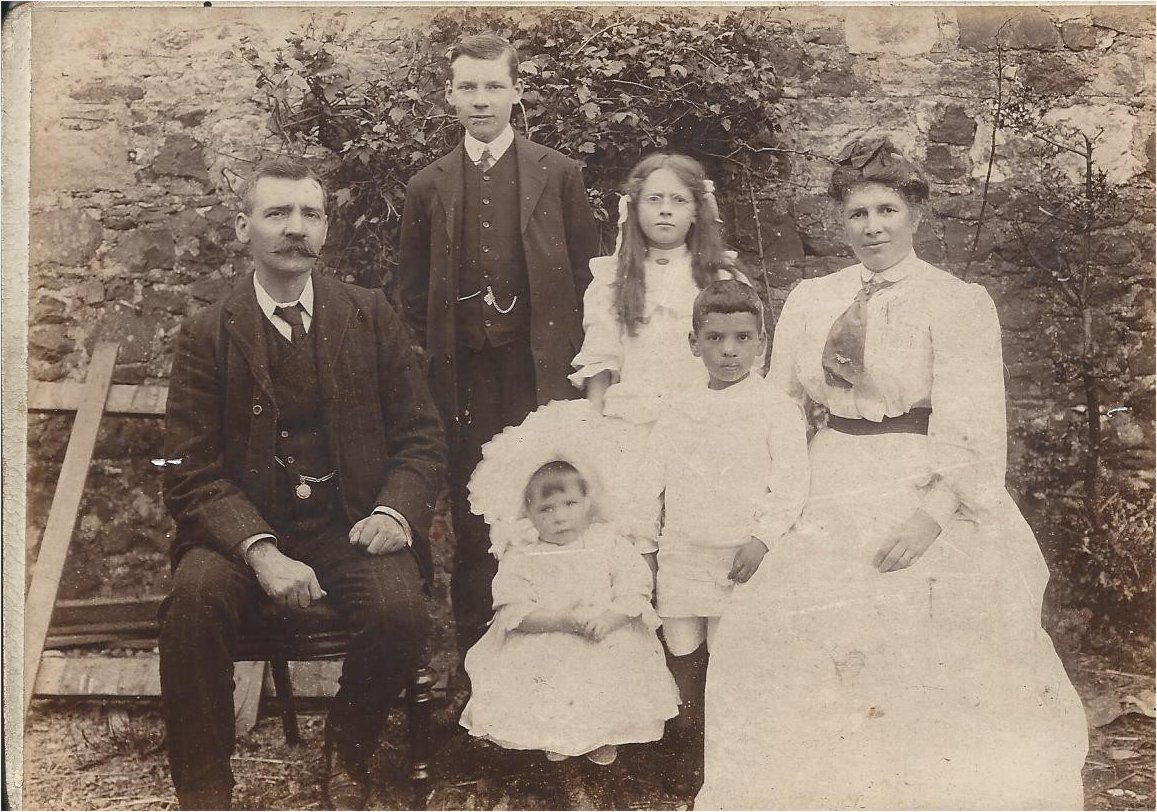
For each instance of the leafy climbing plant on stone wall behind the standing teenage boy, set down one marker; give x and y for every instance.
(603, 87)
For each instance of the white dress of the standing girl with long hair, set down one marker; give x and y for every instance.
(655, 363)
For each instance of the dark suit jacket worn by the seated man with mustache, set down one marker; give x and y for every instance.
(386, 440)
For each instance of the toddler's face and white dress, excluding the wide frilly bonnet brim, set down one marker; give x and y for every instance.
(571, 665)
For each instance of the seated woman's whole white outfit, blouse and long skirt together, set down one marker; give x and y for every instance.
(836, 686)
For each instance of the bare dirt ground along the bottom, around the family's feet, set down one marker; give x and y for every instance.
(91, 756)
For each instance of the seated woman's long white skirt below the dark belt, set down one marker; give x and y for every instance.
(836, 686)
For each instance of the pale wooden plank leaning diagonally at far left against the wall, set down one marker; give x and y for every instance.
(58, 530)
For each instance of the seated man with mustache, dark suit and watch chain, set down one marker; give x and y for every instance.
(309, 456)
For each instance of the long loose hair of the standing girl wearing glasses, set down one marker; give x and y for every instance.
(705, 240)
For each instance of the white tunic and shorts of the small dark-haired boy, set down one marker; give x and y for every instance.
(726, 466)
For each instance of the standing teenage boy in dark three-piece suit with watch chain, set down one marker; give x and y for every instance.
(497, 239)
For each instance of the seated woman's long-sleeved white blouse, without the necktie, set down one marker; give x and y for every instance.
(932, 341)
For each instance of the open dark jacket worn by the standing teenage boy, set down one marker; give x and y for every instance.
(559, 239)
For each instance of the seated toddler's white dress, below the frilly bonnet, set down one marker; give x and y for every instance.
(563, 692)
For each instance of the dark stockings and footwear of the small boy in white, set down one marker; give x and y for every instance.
(684, 736)
